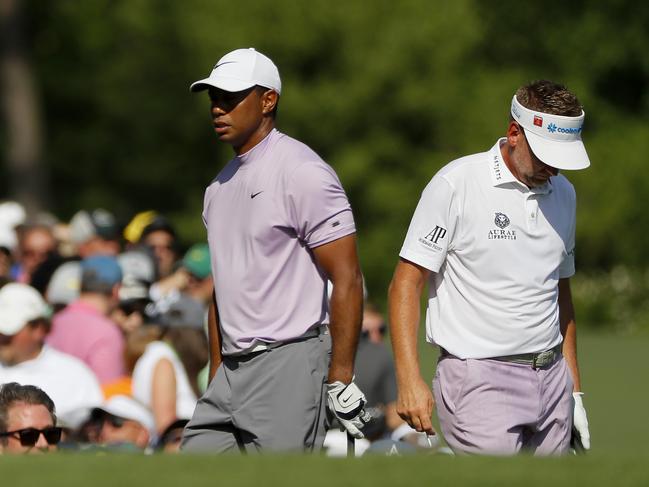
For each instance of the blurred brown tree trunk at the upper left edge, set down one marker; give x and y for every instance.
(23, 151)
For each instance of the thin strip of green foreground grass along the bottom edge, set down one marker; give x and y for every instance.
(97, 471)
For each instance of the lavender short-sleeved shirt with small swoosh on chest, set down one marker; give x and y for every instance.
(264, 213)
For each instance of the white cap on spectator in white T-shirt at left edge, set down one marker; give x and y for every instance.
(20, 304)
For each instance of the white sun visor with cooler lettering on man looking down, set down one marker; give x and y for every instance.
(554, 139)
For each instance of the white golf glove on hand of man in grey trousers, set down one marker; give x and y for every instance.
(346, 402)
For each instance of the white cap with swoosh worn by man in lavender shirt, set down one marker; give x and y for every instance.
(239, 70)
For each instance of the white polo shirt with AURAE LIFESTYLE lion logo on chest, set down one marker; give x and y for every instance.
(497, 250)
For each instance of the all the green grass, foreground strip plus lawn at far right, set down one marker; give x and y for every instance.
(615, 380)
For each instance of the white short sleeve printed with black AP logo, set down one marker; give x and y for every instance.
(432, 226)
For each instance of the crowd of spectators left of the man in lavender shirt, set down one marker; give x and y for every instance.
(102, 338)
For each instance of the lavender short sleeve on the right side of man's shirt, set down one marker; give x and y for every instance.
(317, 205)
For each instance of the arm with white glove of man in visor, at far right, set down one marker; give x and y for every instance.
(569, 332)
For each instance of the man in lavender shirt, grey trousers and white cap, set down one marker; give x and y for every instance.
(279, 224)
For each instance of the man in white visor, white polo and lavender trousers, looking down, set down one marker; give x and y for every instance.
(494, 236)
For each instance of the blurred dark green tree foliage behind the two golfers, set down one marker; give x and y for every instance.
(387, 92)
